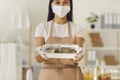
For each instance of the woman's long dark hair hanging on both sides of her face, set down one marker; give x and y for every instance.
(51, 14)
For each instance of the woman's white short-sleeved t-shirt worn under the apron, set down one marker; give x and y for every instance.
(43, 30)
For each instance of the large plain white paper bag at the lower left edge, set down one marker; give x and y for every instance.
(10, 66)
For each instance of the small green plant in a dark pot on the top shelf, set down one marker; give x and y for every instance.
(92, 20)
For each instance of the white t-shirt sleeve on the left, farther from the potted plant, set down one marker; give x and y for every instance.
(39, 31)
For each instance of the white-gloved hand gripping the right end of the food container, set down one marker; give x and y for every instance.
(79, 55)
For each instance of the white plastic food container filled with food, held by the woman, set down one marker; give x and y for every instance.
(60, 50)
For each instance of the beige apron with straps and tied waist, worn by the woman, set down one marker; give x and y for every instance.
(60, 69)
